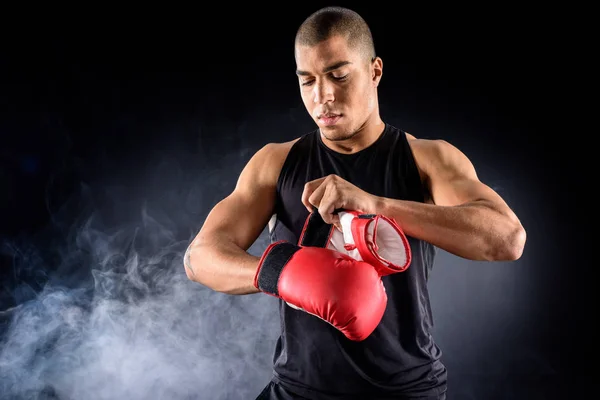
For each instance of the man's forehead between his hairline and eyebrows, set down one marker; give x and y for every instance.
(334, 49)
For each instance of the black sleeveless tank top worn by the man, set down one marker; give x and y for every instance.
(400, 357)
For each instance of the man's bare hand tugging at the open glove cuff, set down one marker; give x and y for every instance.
(332, 193)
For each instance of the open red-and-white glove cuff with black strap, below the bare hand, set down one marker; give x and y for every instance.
(373, 238)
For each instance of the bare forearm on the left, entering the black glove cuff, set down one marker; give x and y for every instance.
(221, 266)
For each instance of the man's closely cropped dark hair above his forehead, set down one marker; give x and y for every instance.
(331, 21)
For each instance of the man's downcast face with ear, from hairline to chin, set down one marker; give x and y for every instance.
(338, 86)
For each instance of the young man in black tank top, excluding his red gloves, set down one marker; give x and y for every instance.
(353, 161)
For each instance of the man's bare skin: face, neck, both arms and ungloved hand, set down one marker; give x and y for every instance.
(338, 85)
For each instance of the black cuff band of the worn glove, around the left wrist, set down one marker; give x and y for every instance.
(271, 264)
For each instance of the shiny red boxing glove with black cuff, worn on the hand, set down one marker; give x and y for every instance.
(346, 293)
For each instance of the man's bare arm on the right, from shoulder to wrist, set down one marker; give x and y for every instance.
(468, 218)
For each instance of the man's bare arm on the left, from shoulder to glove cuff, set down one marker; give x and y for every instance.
(218, 257)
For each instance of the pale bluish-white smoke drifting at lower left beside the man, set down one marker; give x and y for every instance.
(116, 316)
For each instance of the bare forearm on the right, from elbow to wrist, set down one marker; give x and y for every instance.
(475, 230)
